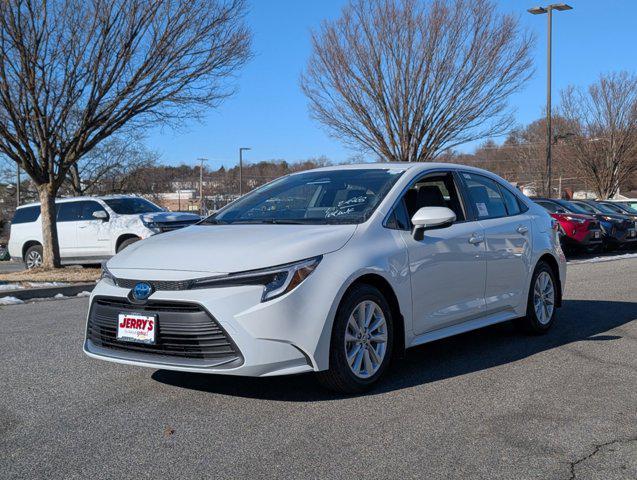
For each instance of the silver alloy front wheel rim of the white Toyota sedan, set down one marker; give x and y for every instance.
(366, 339)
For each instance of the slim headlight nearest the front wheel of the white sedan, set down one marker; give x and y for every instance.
(276, 281)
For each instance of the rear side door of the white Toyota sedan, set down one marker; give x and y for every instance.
(508, 238)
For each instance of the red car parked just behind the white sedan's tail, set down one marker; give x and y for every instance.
(578, 231)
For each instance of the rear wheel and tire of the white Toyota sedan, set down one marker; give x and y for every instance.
(543, 285)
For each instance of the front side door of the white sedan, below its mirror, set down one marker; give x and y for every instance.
(448, 267)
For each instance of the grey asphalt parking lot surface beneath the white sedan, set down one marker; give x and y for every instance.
(489, 404)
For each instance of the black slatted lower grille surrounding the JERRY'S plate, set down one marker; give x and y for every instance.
(186, 330)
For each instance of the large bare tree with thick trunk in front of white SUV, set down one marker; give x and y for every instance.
(74, 72)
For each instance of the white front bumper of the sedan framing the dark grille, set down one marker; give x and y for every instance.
(281, 336)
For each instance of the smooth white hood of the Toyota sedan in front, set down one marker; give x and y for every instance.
(231, 248)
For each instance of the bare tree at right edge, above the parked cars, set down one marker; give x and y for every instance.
(603, 119)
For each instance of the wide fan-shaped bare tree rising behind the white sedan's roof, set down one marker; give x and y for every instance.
(407, 80)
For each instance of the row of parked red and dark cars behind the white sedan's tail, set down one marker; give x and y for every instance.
(593, 226)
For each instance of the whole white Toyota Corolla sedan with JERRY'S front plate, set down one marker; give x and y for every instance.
(333, 271)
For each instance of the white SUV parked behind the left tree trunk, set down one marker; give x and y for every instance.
(91, 229)
